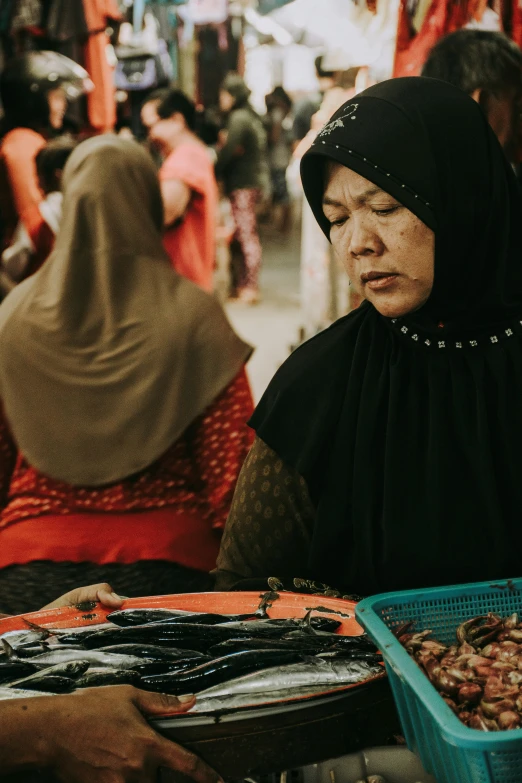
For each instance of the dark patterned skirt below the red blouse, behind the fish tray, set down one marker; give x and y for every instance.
(26, 588)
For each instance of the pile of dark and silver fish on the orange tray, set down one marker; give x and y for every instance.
(229, 661)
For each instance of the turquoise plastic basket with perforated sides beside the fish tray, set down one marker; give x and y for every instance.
(450, 751)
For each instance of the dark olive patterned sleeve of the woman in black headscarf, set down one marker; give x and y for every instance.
(269, 529)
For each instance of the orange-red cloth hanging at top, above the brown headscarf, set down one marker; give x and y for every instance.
(101, 102)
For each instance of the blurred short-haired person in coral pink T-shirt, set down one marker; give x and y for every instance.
(188, 185)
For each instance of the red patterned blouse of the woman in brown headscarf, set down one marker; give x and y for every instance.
(169, 511)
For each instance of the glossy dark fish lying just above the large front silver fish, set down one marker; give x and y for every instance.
(219, 671)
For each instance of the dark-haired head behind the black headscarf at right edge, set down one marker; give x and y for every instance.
(488, 66)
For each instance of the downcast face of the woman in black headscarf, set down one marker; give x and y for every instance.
(388, 252)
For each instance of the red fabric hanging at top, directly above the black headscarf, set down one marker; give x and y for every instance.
(444, 16)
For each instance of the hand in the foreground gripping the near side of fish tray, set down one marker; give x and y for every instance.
(100, 735)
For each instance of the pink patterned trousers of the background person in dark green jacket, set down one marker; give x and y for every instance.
(243, 203)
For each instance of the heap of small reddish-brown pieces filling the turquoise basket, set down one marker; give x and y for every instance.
(480, 678)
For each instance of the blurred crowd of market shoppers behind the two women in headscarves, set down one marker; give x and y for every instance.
(223, 170)
